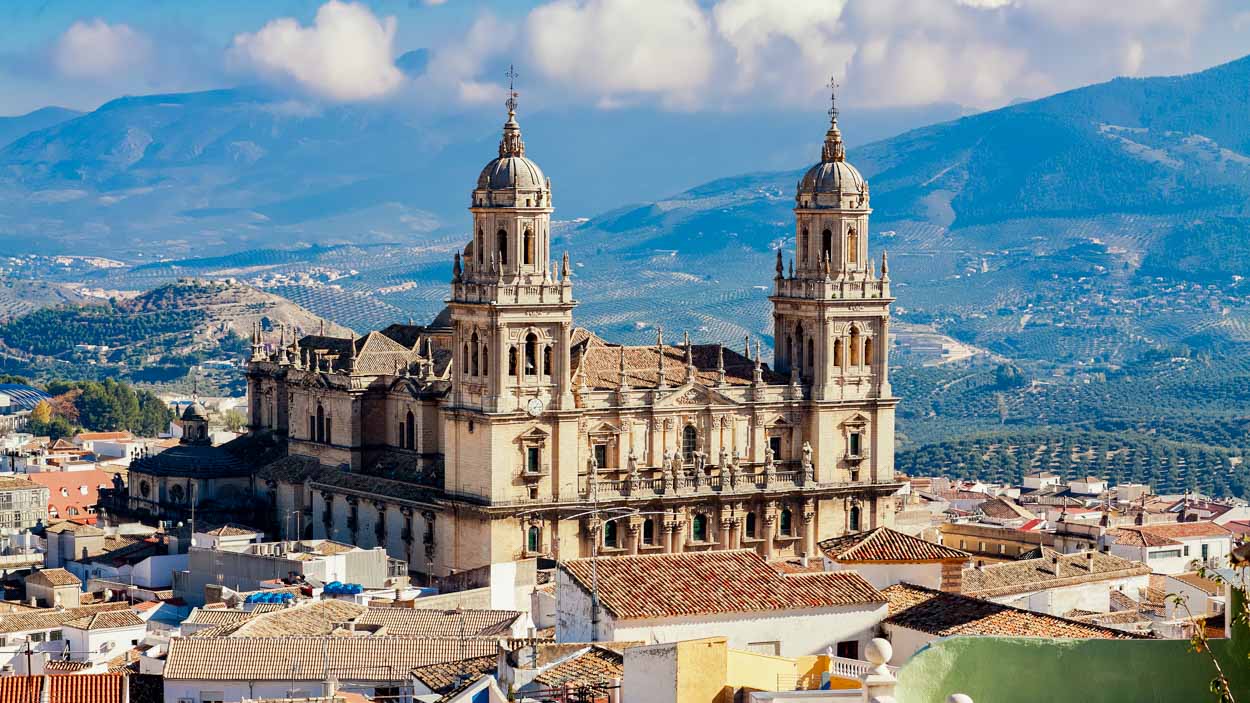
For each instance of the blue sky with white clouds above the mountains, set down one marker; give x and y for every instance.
(687, 56)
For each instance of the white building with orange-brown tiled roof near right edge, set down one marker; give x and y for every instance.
(1172, 549)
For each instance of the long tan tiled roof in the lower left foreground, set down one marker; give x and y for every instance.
(312, 659)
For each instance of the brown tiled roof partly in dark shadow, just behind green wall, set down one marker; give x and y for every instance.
(944, 615)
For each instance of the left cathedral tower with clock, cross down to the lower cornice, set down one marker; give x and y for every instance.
(512, 400)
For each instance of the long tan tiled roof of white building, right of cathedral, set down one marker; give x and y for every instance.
(1052, 570)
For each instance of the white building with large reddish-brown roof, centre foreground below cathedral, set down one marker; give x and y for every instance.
(732, 594)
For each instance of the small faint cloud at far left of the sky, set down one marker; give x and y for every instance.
(97, 49)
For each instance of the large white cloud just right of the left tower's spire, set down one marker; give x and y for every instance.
(609, 48)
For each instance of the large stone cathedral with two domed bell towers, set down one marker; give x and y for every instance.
(503, 431)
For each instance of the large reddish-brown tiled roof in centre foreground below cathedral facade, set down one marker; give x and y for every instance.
(701, 584)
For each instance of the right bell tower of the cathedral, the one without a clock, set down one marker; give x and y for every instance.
(832, 318)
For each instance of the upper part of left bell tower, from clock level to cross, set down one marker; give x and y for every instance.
(512, 307)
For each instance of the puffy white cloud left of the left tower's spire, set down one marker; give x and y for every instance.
(348, 54)
